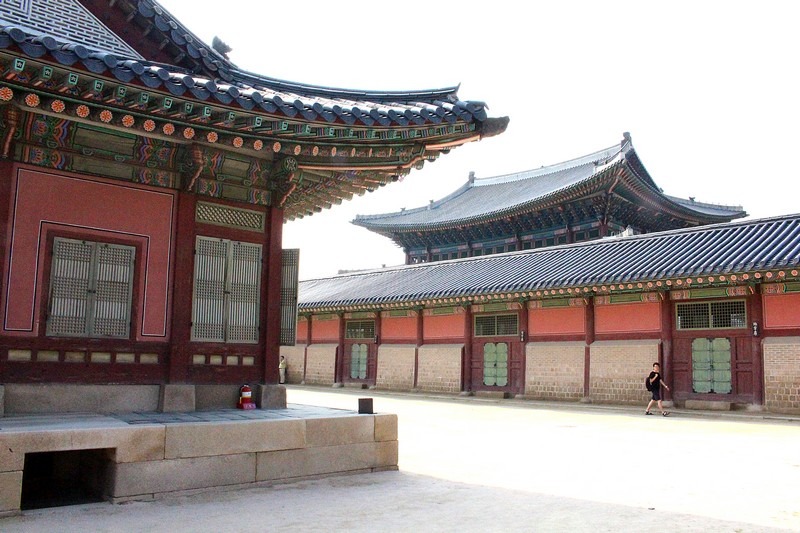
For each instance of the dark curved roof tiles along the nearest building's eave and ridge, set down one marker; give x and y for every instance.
(225, 83)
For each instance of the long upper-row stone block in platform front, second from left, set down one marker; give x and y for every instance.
(207, 439)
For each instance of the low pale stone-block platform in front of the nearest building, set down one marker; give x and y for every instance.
(142, 456)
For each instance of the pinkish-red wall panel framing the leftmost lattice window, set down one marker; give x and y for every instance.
(49, 201)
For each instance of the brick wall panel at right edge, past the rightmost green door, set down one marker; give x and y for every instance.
(782, 374)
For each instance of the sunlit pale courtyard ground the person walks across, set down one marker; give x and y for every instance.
(469, 464)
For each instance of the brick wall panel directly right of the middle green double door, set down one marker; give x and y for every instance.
(554, 370)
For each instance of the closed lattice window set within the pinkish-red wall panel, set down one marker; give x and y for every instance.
(91, 284)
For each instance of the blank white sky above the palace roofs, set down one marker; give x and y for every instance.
(708, 90)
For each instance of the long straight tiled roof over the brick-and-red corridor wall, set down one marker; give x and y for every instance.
(730, 248)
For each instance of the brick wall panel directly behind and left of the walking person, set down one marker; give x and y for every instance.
(618, 369)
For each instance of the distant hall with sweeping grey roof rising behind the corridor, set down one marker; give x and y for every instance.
(599, 194)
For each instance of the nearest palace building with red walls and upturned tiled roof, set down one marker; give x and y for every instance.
(144, 183)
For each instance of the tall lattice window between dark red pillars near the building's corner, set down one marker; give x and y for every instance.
(227, 286)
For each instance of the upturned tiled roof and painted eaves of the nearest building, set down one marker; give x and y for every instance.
(130, 83)
